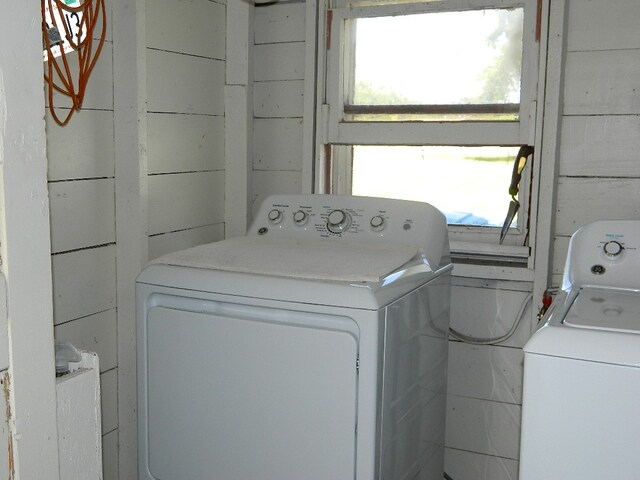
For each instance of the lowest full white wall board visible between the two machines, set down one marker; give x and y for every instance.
(481, 426)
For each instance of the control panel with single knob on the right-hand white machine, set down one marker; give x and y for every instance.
(604, 253)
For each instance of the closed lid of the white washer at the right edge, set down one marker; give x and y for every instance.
(605, 309)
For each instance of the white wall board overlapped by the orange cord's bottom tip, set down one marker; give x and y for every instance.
(82, 149)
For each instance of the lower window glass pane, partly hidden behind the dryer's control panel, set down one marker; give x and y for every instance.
(468, 184)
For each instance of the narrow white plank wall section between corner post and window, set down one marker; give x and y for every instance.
(278, 99)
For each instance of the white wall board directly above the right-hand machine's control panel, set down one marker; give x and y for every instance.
(584, 200)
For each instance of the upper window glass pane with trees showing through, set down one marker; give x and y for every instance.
(444, 58)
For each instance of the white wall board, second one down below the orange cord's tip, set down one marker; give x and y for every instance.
(82, 214)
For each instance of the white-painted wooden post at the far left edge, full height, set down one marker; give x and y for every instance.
(26, 246)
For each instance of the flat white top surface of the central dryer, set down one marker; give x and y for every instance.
(323, 259)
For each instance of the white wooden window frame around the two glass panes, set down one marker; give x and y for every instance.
(334, 131)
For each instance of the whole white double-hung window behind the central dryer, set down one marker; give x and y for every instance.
(431, 100)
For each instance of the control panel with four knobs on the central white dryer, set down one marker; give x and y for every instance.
(355, 218)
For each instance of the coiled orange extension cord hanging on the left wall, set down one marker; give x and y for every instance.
(90, 10)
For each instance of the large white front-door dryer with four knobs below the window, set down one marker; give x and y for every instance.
(314, 348)
